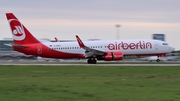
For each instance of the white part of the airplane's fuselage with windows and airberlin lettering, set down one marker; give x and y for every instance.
(127, 47)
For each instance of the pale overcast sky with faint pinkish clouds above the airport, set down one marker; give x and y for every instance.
(89, 19)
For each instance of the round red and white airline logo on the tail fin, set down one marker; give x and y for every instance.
(17, 30)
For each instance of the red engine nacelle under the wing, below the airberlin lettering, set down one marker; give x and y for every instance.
(113, 56)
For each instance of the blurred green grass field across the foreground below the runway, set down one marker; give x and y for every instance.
(89, 83)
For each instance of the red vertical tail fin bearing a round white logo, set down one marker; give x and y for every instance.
(19, 32)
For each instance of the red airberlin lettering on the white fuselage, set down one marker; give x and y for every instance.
(132, 45)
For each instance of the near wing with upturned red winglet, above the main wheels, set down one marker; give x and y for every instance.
(89, 52)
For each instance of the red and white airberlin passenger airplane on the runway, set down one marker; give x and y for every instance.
(107, 50)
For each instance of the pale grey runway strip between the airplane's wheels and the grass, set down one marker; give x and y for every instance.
(85, 64)
